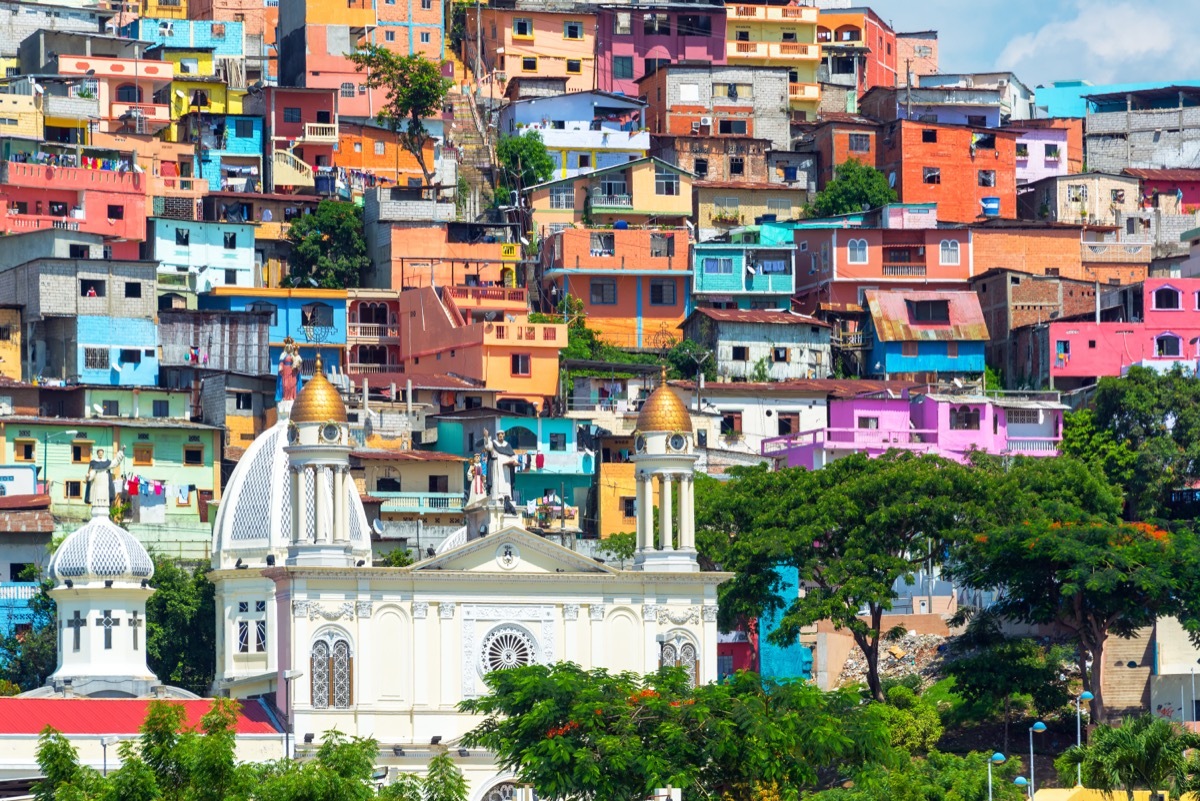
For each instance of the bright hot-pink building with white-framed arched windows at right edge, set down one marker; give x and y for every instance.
(1167, 335)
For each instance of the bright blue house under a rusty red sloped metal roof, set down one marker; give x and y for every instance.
(925, 335)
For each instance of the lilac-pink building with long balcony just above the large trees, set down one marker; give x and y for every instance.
(943, 424)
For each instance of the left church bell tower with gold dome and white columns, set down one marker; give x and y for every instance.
(320, 473)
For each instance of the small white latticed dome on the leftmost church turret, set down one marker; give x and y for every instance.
(101, 551)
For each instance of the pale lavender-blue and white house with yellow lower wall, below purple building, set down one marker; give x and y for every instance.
(583, 131)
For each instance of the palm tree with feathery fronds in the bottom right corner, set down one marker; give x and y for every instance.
(1143, 754)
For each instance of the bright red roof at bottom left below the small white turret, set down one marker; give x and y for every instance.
(112, 715)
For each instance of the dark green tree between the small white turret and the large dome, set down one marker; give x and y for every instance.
(181, 642)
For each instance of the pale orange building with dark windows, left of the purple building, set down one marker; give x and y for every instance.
(519, 43)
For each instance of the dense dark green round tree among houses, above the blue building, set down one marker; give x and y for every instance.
(328, 248)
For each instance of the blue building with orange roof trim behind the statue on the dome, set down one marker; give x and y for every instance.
(314, 318)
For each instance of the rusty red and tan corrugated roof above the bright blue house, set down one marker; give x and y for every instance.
(892, 317)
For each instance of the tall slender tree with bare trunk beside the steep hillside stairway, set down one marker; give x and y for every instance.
(416, 92)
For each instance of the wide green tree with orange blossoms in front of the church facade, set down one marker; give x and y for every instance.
(591, 736)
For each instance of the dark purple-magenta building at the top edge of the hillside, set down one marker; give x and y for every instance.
(635, 40)
